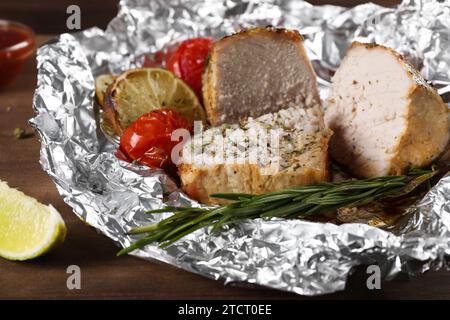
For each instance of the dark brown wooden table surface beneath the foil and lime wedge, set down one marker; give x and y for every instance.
(103, 275)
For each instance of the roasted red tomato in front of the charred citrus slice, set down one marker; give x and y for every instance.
(148, 139)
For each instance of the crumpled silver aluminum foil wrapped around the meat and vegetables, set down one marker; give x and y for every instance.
(303, 257)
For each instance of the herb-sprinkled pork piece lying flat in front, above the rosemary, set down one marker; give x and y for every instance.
(298, 157)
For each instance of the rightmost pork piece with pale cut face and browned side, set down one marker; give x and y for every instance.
(385, 117)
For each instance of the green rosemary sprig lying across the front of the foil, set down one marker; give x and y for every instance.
(299, 202)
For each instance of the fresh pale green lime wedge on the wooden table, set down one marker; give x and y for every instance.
(28, 228)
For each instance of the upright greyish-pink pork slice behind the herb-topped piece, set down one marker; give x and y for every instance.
(257, 71)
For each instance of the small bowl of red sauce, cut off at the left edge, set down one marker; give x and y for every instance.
(17, 44)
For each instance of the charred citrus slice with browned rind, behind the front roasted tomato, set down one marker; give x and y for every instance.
(139, 91)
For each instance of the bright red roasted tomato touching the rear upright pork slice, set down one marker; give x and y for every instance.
(188, 61)
